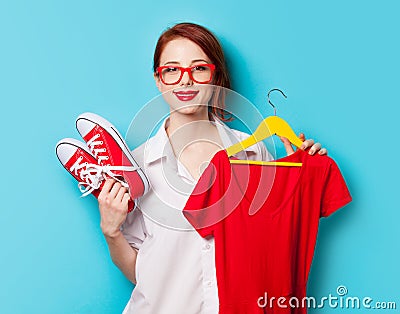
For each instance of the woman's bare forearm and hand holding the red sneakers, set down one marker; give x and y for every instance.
(113, 205)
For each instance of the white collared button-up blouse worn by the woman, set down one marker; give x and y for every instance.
(175, 267)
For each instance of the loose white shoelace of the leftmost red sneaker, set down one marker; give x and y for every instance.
(92, 175)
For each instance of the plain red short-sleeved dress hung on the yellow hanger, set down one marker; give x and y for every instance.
(265, 221)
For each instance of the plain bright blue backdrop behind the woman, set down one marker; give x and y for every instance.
(338, 62)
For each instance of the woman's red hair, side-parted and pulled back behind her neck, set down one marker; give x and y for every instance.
(207, 41)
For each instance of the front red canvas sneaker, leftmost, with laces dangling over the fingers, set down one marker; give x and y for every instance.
(82, 165)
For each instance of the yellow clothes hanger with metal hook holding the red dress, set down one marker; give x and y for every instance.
(268, 127)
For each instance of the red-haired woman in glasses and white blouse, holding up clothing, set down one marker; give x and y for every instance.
(172, 266)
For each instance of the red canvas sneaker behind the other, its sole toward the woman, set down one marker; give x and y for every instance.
(110, 150)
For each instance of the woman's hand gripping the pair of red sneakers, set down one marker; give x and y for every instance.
(113, 205)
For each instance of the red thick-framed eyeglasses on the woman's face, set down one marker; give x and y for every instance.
(199, 73)
